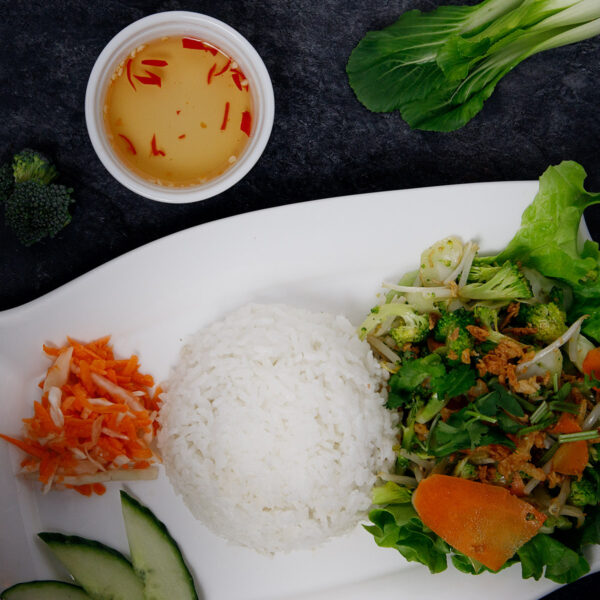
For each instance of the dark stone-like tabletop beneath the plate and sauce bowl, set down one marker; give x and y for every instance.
(324, 143)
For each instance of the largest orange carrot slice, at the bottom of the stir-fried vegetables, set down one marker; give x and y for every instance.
(485, 522)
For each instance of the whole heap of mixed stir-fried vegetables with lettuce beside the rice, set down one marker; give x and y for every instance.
(498, 400)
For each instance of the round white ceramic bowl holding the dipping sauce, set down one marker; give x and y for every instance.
(184, 24)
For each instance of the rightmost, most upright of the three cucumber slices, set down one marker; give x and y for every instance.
(155, 555)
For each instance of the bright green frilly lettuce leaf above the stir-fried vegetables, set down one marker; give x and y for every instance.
(548, 240)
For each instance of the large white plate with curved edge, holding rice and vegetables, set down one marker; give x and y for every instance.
(329, 255)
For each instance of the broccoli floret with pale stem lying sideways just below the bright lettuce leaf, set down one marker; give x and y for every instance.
(505, 283)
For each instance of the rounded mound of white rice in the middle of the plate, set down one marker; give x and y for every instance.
(273, 427)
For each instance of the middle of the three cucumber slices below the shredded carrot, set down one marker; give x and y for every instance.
(102, 572)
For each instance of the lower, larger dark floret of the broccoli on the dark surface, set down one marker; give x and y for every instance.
(35, 210)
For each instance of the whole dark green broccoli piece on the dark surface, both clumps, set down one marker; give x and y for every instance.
(34, 208)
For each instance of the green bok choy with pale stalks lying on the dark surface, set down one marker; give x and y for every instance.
(438, 68)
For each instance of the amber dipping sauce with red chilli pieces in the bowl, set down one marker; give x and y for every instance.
(178, 111)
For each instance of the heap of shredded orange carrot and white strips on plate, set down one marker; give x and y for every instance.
(90, 427)
